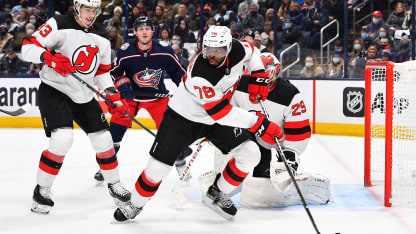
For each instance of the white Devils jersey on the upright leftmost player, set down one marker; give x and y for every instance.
(88, 50)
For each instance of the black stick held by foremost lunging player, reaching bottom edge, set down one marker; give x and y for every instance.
(282, 156)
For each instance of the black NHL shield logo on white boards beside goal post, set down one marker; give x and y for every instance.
(353, 102)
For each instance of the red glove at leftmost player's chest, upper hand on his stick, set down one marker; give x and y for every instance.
(60, 63)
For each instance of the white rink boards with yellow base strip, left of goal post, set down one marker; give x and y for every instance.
(335, 106)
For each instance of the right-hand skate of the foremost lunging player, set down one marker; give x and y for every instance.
(219, 202)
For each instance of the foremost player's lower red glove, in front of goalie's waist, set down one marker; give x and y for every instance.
(265, 131)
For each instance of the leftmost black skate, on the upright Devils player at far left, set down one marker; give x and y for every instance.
(42, 201)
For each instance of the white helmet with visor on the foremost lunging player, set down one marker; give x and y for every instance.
(217, 42)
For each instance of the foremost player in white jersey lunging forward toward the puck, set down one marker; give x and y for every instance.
(200, 108)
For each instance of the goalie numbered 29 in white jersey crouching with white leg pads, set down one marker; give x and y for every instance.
(271, 185)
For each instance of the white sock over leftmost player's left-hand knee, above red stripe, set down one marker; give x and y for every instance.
(61, 141)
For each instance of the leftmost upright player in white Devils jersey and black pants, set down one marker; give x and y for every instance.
(73, 44)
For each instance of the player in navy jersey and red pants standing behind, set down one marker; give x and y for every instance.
(138, 74)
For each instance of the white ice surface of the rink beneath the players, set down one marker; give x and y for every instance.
(81, 207)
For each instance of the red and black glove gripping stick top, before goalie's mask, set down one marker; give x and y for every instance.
(258, 86)
